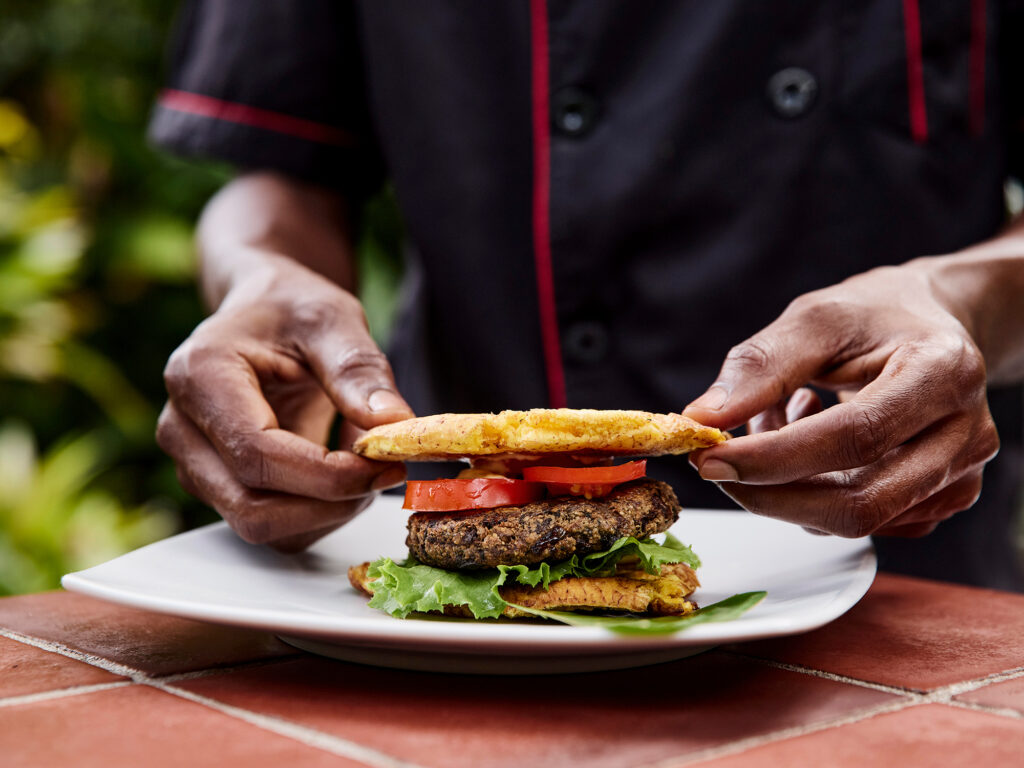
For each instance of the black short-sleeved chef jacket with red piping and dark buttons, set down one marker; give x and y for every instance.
(603, 197)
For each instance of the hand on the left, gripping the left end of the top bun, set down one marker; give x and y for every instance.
(253, 395)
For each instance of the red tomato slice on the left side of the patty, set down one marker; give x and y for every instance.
(479, 493)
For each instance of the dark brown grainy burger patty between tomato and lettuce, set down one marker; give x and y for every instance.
(550, 530)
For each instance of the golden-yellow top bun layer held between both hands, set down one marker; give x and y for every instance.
(525, 434)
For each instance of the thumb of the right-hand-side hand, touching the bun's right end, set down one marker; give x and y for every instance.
(761, 372)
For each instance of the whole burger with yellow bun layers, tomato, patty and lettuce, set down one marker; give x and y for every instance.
(543, 521)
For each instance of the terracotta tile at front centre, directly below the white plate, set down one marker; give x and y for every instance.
(629, 717)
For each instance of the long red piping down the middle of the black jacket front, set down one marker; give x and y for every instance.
(542, 205)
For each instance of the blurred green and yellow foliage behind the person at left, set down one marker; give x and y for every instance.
(97, 285)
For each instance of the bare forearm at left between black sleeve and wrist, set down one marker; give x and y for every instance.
(260, 220)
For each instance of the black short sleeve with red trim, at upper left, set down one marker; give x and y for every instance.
(271, 86)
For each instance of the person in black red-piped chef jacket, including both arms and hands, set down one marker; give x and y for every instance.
(604, 201)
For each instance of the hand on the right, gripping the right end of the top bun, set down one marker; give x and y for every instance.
(905, 449)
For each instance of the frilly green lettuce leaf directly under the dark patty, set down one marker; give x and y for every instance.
(401, 589)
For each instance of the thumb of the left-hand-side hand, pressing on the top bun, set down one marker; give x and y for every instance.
(356, 375)
